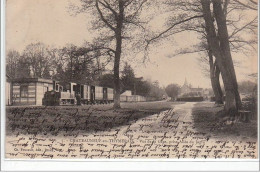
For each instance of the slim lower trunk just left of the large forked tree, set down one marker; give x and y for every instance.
(214, 77)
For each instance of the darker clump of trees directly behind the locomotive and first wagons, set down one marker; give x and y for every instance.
(81, 64)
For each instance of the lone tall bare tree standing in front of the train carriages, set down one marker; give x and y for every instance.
(117, 19)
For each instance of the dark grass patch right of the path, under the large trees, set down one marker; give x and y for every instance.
(209, 118)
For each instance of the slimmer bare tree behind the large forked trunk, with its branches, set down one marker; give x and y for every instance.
(238, 27)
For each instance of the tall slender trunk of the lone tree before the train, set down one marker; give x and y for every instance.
(118, 34)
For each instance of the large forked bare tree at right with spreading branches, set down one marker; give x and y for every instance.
(217, 44)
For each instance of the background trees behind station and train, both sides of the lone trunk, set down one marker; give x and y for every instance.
(76, 64)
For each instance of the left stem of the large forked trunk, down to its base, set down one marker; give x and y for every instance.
(221, 59)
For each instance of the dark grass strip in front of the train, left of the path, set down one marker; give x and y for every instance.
(74, 120)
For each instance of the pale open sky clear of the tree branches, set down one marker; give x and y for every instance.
(50, 22)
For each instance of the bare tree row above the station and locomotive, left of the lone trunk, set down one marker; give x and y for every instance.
(68, 64)
